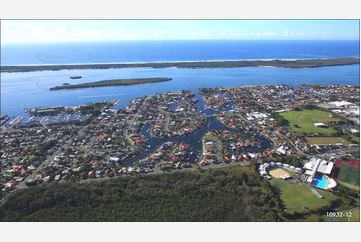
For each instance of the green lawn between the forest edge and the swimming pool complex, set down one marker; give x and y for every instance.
(296, 196)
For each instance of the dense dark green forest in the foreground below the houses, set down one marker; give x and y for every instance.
(227, 194)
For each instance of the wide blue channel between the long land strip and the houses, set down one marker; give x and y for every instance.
(31, 89)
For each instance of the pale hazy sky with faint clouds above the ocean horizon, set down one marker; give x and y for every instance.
(97, 30)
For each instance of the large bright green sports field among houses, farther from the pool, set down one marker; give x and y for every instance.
(305, 119)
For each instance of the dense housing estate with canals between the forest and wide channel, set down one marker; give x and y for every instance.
(103, 141)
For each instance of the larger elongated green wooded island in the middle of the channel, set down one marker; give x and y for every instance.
(115, 82)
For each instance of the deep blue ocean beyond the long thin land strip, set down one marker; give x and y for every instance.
(162, 51)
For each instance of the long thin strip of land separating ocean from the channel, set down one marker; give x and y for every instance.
(288, 63)
